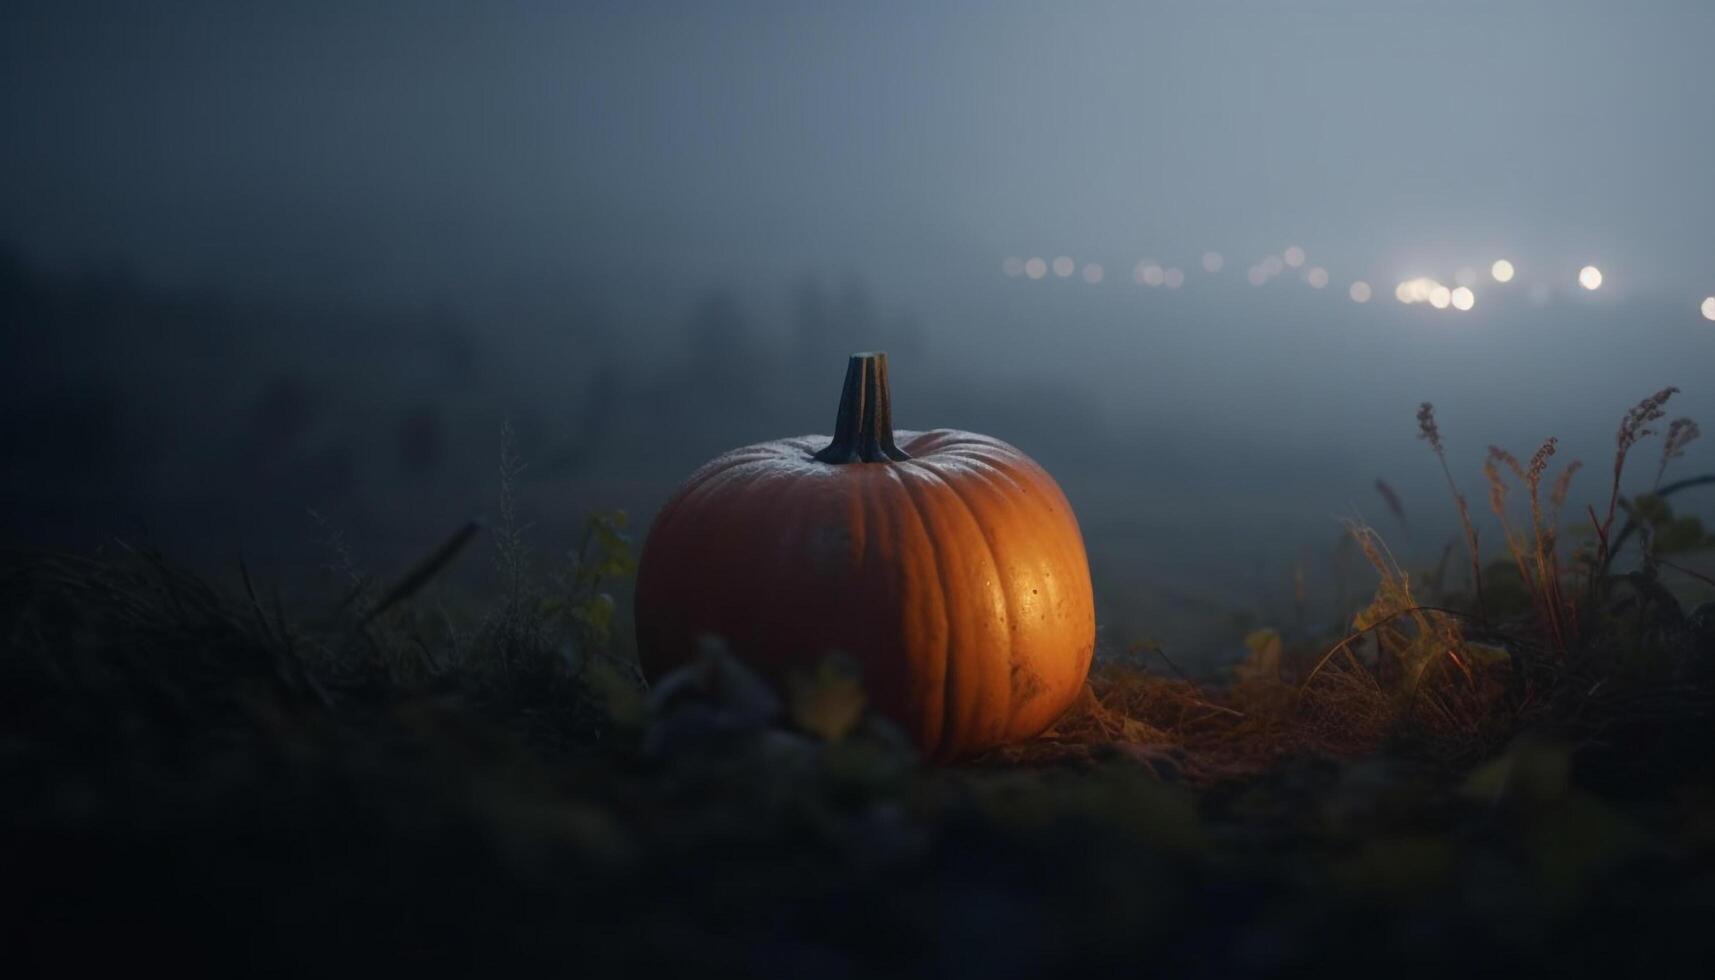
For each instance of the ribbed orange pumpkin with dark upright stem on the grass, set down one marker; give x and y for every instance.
(948, 564)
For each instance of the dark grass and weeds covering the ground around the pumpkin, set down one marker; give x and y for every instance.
(1503, 773)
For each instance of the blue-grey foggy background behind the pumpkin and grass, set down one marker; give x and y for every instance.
(263, 260)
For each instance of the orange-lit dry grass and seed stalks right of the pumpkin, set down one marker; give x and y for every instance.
(1433, 681)
